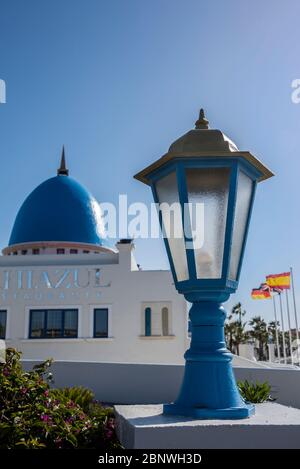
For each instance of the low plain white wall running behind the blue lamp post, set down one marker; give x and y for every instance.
(156, 383)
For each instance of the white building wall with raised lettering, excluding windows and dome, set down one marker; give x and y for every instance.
(123, 289)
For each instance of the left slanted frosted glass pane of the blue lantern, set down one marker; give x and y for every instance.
(167, 192)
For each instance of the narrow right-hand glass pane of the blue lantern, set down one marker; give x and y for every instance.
(243, 201)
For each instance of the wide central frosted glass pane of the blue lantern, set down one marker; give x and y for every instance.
(208, 190)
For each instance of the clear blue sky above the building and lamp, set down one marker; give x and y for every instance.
(117, 81)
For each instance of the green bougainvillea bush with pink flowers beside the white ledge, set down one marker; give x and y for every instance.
(32, 415)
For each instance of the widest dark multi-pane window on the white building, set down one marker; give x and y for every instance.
(53, 323)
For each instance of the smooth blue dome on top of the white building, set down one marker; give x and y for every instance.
(59, 209)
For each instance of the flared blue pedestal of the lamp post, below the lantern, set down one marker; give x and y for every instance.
(209, 389)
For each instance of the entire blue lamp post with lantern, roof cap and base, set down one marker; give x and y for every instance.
(205, 171)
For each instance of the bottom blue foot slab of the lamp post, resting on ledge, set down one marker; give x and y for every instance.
(231, 413)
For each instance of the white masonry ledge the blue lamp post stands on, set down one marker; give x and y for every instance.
(144, 426)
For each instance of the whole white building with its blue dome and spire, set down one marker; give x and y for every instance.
(65, 295)
